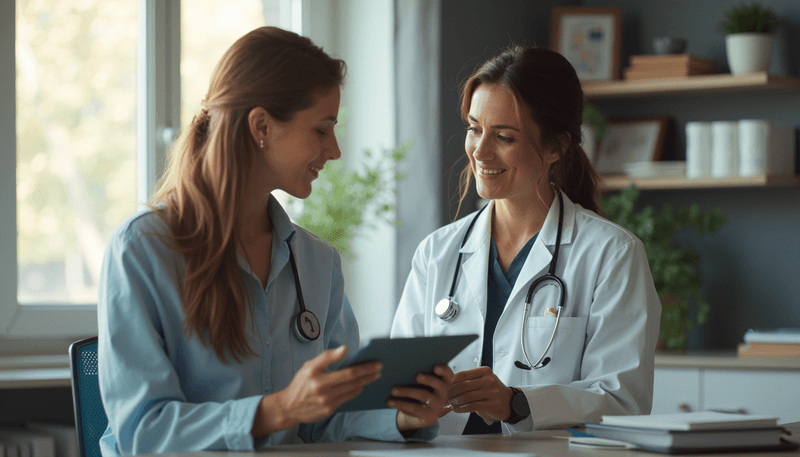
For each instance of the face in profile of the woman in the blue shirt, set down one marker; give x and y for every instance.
(296, 151)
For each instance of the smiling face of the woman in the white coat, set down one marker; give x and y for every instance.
(505, 163)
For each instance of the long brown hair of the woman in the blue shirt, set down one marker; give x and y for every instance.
(205, 184)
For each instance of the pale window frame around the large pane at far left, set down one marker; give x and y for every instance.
(158, 98)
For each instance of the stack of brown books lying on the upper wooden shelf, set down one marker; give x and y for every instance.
(668, 66)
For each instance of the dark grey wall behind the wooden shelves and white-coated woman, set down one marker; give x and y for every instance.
(751, 267)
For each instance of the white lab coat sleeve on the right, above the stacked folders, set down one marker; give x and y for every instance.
(617, 365)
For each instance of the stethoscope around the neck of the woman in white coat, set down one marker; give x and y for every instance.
(447, 308)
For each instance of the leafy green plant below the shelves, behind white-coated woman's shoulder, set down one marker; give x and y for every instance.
(674, 269)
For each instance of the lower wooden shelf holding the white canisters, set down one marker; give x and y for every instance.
(618, 182)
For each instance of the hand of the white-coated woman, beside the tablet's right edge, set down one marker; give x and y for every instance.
(480, 391)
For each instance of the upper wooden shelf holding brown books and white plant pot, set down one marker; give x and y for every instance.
(690, 85)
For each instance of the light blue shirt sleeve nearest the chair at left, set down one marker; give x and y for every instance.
(141, 390)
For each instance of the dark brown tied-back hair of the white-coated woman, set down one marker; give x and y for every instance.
(545, 83)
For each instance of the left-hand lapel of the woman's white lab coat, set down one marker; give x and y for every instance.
(475, 263)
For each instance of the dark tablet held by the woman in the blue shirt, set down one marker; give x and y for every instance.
(403, 359)
